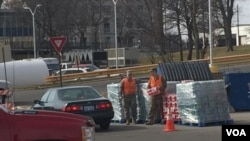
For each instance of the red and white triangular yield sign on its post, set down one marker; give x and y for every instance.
(58, 43)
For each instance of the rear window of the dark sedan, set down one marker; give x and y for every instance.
(73, 94)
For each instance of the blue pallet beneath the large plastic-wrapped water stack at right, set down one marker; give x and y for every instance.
(203, 124)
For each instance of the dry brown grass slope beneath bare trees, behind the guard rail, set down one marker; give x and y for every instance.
(216, 52)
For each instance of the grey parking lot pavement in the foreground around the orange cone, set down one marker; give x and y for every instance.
(155, 132)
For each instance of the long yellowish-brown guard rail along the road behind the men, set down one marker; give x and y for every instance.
(139, 69)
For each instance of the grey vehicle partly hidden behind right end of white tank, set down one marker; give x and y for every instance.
(52, 64)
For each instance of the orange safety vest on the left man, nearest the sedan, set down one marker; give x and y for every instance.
(129, 86)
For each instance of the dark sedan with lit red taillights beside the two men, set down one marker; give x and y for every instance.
(83, 100)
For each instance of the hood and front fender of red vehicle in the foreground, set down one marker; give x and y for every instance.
(38, 125)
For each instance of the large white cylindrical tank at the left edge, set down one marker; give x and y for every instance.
(24, 73)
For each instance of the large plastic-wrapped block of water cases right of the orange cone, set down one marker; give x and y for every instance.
(202, 102)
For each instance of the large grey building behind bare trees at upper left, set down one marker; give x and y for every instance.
(16, 30)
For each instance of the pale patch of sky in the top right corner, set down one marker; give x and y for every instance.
(244, 12)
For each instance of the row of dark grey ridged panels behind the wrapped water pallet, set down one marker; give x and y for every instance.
(192, 70)
